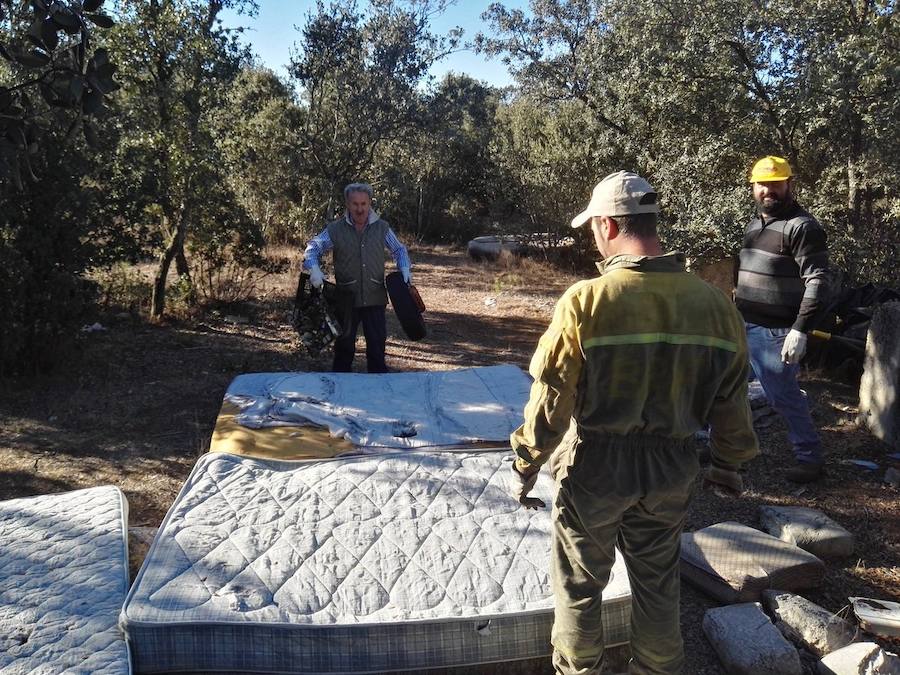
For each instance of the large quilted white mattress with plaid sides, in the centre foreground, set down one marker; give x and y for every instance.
(382, 562)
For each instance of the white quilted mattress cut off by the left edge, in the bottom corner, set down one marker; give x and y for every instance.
(63, 578)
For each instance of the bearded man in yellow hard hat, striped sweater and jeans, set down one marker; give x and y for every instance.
(781, 293)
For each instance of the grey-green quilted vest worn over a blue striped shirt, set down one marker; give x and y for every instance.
(359, 260)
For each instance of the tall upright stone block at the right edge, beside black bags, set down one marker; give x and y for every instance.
(879, 388)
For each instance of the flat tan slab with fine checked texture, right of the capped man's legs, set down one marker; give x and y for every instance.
(735, 563)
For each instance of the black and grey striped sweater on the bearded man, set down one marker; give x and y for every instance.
(783, 274)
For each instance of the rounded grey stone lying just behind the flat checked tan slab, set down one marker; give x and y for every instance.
(809, 529)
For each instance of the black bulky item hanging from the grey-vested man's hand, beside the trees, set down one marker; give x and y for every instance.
(320, 315)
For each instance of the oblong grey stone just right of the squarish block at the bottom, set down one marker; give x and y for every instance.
(806, 624)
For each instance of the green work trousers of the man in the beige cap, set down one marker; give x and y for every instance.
(631, 491)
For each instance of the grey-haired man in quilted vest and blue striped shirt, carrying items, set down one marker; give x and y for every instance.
(358, 240)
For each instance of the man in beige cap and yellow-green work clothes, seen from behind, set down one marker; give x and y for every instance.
(633, 364)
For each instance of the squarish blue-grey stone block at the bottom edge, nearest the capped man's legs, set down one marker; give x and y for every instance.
(747, 643)
